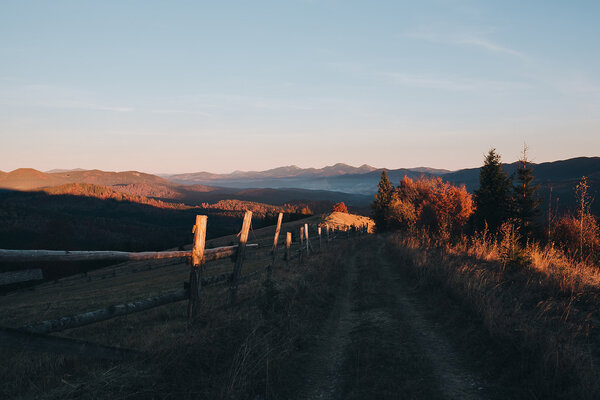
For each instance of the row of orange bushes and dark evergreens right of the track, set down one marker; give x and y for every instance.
(503, 205)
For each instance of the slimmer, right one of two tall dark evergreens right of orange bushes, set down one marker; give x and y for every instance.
(526, 201)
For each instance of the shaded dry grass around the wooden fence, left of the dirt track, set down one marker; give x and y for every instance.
(236, 352)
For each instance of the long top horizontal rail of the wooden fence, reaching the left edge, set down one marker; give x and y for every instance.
(64, 255)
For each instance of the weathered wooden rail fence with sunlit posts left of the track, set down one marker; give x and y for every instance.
(36, 336)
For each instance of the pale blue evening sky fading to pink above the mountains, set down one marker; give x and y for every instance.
(186, 86)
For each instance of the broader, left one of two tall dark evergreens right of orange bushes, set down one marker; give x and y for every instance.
(492, 199)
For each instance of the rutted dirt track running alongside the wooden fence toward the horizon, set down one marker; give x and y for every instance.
(379, 342)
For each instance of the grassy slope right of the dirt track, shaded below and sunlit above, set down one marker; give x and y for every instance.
(532, 328)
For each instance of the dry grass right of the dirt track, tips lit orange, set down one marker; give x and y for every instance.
(543, 313)
